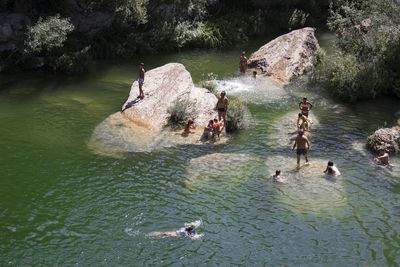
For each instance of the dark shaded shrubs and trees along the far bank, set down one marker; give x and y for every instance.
(63, 35)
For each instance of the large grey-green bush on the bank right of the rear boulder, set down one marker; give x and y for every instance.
(367, 63)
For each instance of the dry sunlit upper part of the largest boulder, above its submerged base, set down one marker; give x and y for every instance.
(162, 87)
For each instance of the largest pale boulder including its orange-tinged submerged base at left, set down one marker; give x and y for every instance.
(141, 127)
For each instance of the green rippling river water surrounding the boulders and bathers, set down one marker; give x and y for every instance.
(62, 204)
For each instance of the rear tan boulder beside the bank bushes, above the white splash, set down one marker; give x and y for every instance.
(286, 57)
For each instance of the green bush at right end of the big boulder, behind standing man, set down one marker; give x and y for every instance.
(237, 115)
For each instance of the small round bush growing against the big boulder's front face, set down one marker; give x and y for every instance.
(180, 112)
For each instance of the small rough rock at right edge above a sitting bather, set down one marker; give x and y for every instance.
(385, 138)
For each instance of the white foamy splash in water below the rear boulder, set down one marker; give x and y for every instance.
(258, 91)
